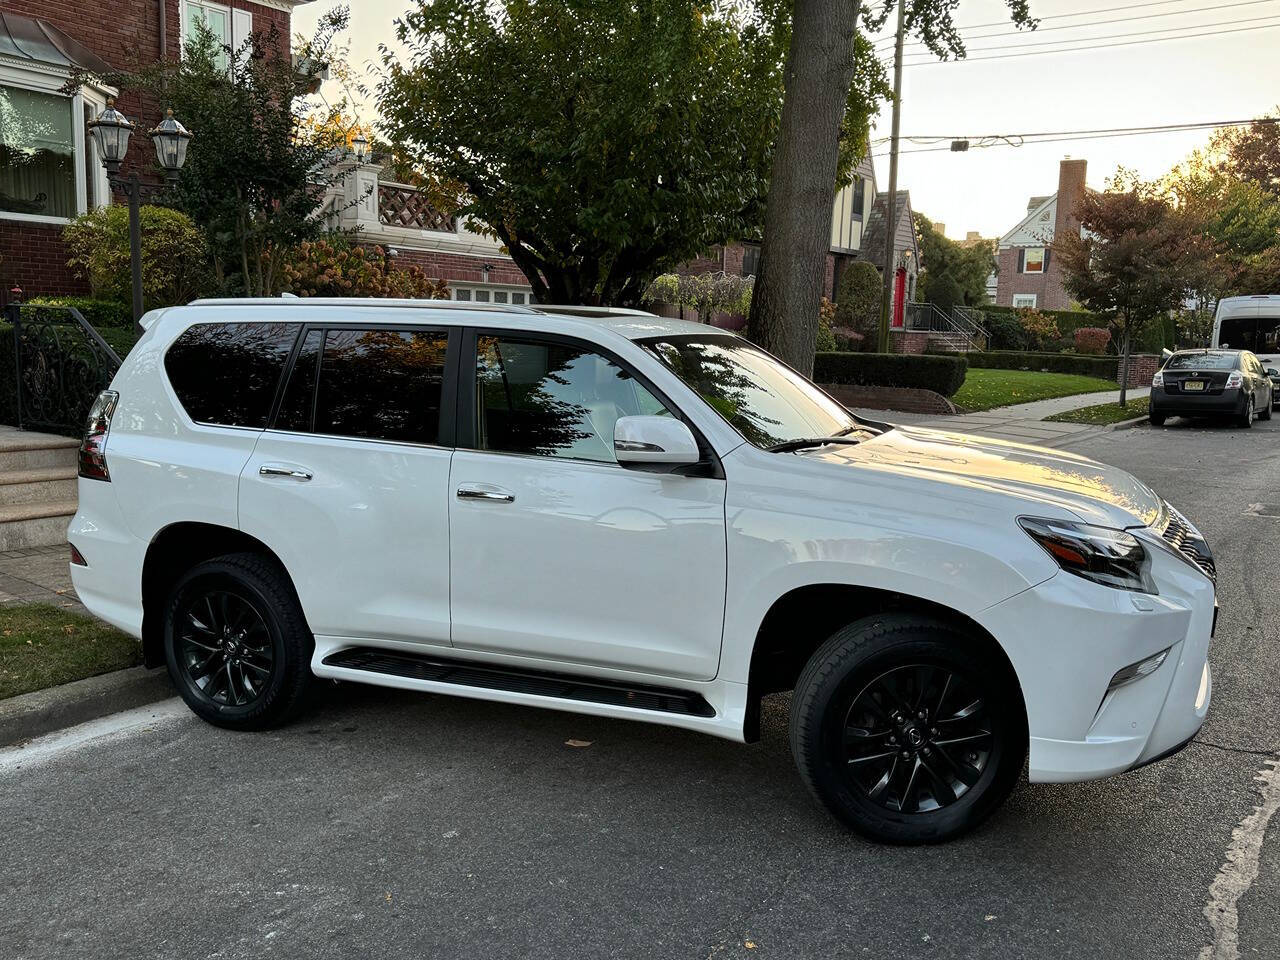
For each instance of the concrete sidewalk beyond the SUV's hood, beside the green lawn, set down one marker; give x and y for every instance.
(1023, 423)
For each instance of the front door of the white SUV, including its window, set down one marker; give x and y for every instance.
(560, 554)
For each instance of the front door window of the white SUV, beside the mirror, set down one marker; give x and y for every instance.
(554, 400)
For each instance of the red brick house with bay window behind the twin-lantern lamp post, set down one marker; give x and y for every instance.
(49, 171)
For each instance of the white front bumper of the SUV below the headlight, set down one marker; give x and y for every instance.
(1067, 639)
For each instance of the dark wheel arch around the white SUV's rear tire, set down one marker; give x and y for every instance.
(176, 550)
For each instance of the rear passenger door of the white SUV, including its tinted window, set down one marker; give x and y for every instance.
(349, 486)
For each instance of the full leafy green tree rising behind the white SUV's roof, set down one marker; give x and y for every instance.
(604, 144)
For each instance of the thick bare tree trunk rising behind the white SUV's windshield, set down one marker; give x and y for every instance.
(820, 70)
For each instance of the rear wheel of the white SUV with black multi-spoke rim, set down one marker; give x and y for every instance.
(237, 644)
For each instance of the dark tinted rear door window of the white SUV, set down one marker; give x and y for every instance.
(382, 385)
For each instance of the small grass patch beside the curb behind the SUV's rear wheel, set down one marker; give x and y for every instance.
(44, 646)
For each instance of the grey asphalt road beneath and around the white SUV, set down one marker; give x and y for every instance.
(409, 826)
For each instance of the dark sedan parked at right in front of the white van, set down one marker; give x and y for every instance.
(1212, 383)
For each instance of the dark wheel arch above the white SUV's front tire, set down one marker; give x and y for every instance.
(781, 650)
